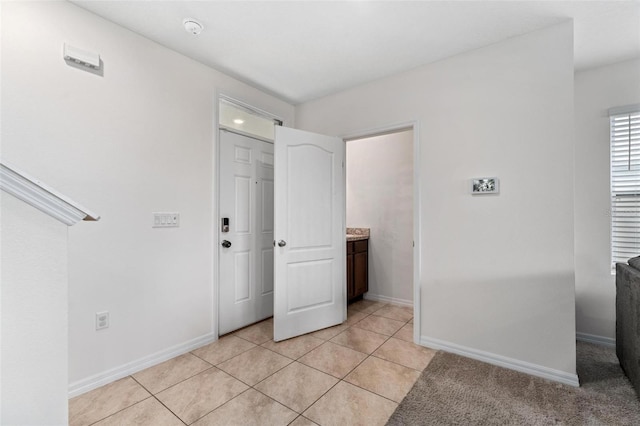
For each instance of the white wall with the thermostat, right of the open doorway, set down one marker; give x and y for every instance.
(497, 274)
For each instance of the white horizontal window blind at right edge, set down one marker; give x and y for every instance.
(625, 186)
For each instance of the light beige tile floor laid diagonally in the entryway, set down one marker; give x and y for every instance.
(355, 373)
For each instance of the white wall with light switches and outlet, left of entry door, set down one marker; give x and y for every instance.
(137, 140)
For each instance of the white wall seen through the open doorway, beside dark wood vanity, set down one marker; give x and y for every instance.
(380, 197)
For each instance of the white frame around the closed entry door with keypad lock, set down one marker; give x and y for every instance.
(215, 185)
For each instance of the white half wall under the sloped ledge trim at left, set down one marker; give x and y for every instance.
(34, 316)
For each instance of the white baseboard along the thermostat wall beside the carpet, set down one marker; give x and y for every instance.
(502, 361)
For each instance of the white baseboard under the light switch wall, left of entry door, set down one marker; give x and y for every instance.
(85, 385)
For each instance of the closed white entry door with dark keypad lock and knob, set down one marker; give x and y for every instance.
(246, 252)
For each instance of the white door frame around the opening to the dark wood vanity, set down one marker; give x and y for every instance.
(395, 128)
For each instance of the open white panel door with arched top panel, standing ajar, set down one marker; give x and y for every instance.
(309, 254)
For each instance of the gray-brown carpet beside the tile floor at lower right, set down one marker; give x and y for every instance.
(454, 390)
